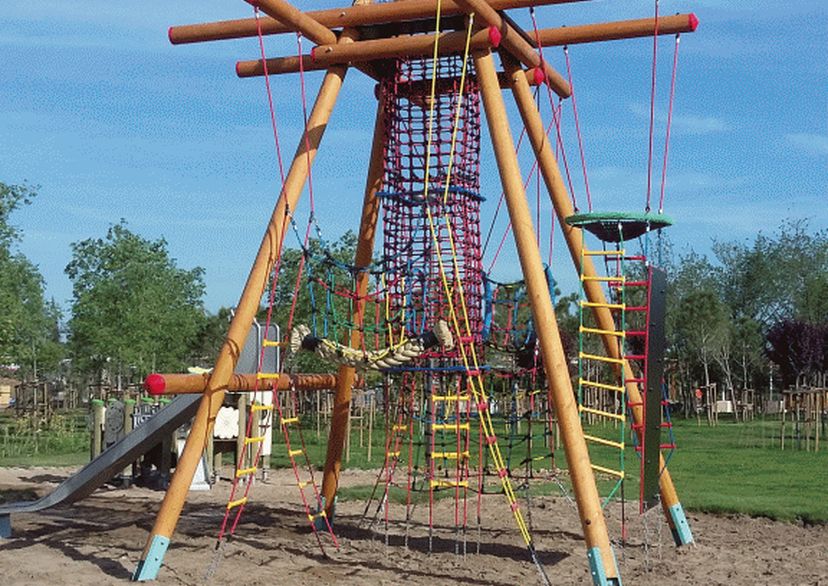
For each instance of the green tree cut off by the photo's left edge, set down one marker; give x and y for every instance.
(29, 336)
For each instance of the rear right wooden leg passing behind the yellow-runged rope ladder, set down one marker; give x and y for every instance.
(574, 240)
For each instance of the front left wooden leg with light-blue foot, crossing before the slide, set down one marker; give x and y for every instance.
(246, 309)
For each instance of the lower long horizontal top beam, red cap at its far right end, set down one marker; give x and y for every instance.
(451, 42)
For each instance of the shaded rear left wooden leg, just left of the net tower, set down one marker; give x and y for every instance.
(346, 374)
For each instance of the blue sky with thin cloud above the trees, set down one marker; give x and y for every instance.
(111, 121)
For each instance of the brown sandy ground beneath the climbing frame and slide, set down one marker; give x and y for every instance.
(99, 540)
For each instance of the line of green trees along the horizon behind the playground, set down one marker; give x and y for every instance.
(755, 306)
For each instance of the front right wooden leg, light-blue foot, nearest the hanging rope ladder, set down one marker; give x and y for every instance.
(601, 557)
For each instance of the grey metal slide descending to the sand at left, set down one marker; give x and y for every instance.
(111, 461)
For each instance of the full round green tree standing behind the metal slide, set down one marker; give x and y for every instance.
(133, 309)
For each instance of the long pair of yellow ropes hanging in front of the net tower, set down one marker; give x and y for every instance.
(476, 382)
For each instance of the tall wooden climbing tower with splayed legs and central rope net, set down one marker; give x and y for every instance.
(426, 56)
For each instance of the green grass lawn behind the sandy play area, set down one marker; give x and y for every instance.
(730, 468)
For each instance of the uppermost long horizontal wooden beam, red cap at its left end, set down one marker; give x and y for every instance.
(350, 16)
